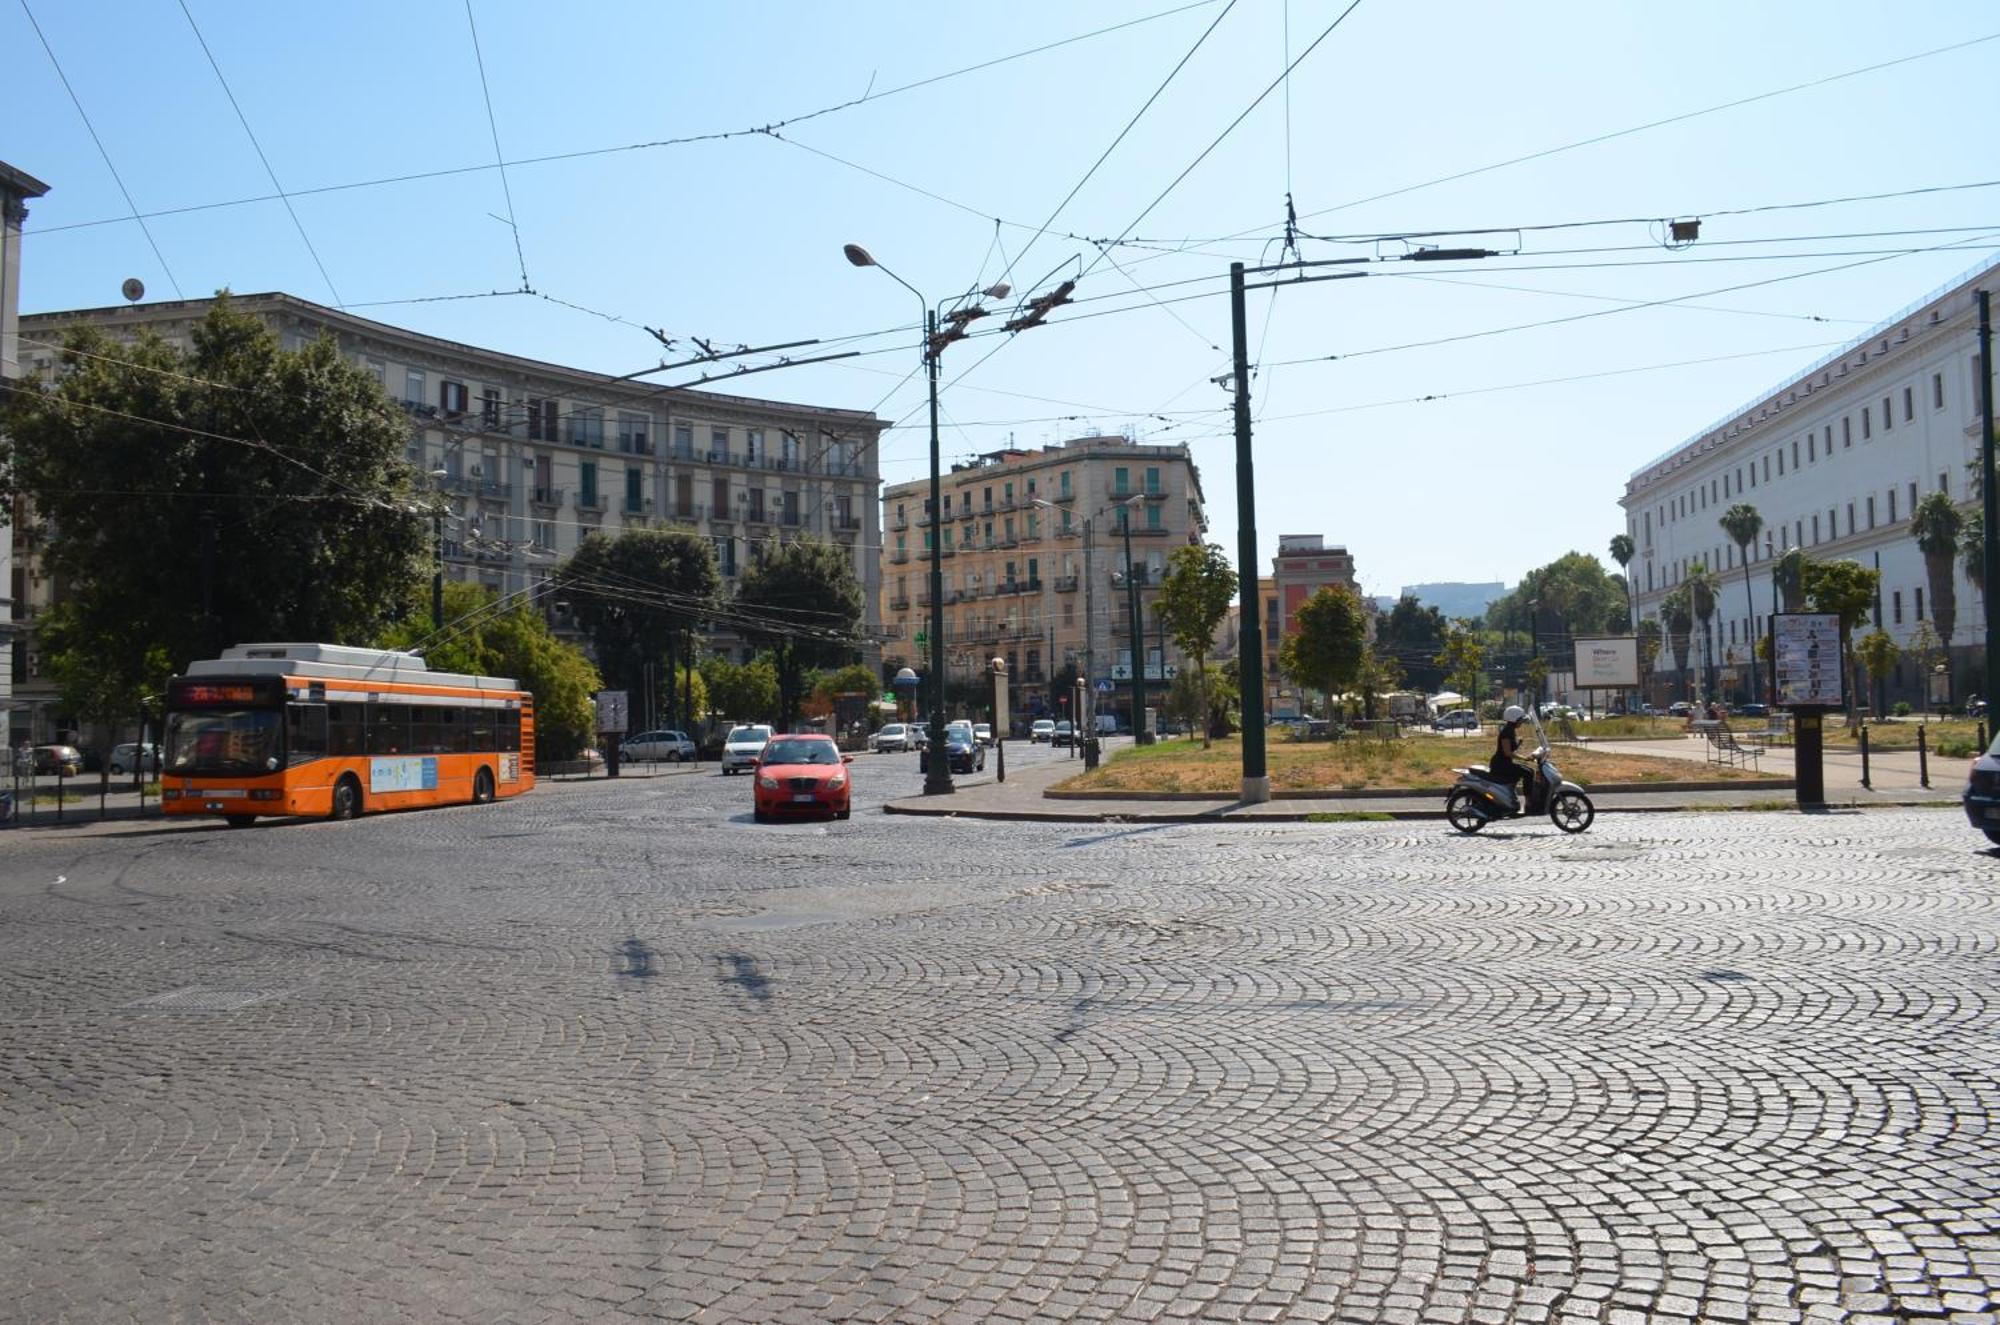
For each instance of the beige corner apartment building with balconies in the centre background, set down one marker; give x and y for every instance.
(1033, 547)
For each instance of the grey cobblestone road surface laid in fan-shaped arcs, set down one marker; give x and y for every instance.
(615, 1052)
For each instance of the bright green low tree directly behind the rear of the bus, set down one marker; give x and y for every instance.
(491, 639)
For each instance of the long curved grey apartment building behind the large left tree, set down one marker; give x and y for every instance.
(533, 457)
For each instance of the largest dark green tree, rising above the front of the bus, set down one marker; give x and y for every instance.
(273, 495)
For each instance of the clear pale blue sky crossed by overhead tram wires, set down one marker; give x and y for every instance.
(739, 241)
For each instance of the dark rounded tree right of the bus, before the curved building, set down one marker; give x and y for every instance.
(641, 597)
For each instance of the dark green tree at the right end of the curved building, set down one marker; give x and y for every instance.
(803, 603)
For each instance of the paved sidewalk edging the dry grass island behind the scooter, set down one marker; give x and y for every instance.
(1023, 798)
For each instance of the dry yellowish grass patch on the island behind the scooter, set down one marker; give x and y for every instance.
(1425, 762)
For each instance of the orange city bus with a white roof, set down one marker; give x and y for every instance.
(323, 730)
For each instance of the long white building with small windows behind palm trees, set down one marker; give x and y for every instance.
(1835, 459)
